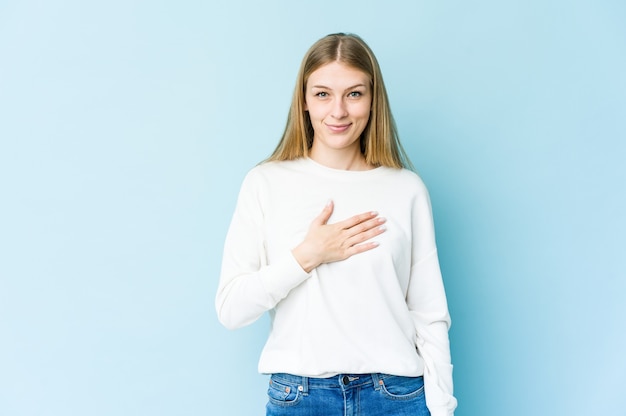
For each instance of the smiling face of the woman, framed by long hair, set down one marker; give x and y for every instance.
(338, 99)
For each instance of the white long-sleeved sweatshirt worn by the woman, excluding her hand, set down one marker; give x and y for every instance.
(381, 311)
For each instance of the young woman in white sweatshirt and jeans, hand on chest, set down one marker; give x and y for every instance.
(333, 235)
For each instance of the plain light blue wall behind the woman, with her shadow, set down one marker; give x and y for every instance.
(127, 126)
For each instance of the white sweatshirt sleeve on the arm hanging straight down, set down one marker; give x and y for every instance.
(427, 302)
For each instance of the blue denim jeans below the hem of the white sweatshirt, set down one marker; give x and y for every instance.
(346, 395)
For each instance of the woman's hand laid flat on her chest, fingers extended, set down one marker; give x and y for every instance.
(326, 243)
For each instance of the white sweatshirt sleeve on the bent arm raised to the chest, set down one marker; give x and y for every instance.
(248, 285)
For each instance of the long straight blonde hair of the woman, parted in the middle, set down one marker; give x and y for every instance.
(379, 141)
